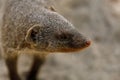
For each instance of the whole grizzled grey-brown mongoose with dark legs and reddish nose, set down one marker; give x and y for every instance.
(31, 27)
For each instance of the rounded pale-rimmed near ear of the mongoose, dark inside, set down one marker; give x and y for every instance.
(32, 33)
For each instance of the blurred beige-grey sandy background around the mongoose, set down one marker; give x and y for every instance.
(99, 20)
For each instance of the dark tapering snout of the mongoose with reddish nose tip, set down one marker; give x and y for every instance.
(73, 41)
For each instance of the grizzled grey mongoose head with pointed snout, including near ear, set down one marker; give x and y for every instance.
(54, 33)
